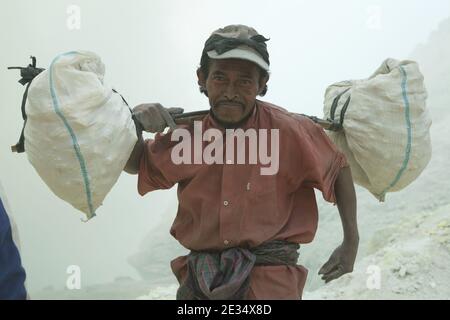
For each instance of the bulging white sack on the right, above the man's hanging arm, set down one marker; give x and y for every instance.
(386, 135)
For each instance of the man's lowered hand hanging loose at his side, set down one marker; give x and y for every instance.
(341, 261)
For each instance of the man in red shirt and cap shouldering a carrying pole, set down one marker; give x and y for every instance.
(244, 228)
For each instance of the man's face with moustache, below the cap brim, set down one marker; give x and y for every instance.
(232, 86)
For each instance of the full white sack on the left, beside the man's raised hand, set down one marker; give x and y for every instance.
(79, 133)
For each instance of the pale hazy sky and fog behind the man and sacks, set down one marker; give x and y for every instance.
(151, 50)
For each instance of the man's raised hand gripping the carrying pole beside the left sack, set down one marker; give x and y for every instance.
(154, 117)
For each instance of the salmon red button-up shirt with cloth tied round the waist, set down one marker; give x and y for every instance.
(227, 205)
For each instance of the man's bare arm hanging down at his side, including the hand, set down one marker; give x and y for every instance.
(343, 258)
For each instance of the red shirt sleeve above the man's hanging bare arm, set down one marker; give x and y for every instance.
(320, 159)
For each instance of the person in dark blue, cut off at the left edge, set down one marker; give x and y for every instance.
(12, 274)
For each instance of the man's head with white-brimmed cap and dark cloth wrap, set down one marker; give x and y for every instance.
(233, 71)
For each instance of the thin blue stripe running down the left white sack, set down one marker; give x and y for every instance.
(76, 146)
